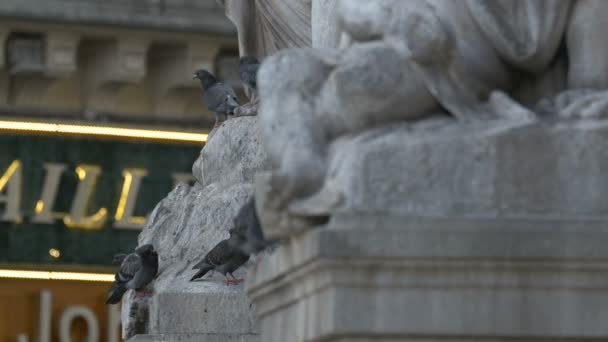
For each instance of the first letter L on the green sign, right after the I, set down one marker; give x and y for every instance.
(87, 175)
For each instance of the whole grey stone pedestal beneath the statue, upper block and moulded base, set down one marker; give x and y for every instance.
(450, 232)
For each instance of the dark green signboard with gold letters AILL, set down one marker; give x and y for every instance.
(79, 200)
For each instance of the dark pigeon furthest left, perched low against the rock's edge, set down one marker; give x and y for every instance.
(136, 271)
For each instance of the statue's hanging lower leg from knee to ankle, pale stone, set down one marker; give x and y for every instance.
(289, 83)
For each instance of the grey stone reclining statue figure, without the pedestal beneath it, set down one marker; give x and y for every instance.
(404, 61)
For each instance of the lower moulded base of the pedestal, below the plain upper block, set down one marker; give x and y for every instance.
(406, 279)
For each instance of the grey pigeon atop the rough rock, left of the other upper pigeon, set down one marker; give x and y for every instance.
(219, 97)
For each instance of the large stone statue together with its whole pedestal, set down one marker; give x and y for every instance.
(454, 154)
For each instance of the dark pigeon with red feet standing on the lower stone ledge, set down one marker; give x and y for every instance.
(224, 259)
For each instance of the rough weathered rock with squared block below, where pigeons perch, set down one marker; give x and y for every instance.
(184, 227)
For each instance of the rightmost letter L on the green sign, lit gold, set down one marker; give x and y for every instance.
(128, 196)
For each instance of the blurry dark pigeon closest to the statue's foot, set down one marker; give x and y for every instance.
(249, 236)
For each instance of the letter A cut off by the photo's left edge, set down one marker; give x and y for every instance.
(11, 181)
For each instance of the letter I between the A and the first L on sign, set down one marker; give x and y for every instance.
(42, 211)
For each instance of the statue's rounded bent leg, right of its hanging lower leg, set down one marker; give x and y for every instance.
(373, 84)
